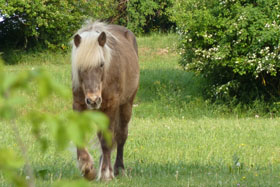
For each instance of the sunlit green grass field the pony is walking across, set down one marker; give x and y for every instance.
(175, 137)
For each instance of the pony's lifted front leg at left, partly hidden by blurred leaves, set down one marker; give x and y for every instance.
(84, 158)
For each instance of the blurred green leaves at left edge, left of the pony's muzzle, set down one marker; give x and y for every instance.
(10, 84)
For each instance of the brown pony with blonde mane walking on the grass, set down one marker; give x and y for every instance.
(105, 77)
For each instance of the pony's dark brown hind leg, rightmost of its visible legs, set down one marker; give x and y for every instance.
(121, 136)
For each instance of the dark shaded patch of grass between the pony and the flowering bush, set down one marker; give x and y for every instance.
(154, 83)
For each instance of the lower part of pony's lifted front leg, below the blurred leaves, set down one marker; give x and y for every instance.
(86, 164)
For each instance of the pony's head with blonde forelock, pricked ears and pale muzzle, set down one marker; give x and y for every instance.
(91, 56)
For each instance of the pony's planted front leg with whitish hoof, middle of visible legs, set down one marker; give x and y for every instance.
(105, 169)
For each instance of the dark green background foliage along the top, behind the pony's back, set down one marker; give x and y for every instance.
(51, 23)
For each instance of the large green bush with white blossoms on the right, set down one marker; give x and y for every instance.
(234, 44)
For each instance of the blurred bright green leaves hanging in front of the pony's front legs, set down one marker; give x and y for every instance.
(72, 126)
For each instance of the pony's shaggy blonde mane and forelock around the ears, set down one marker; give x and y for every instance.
(89, 53)
